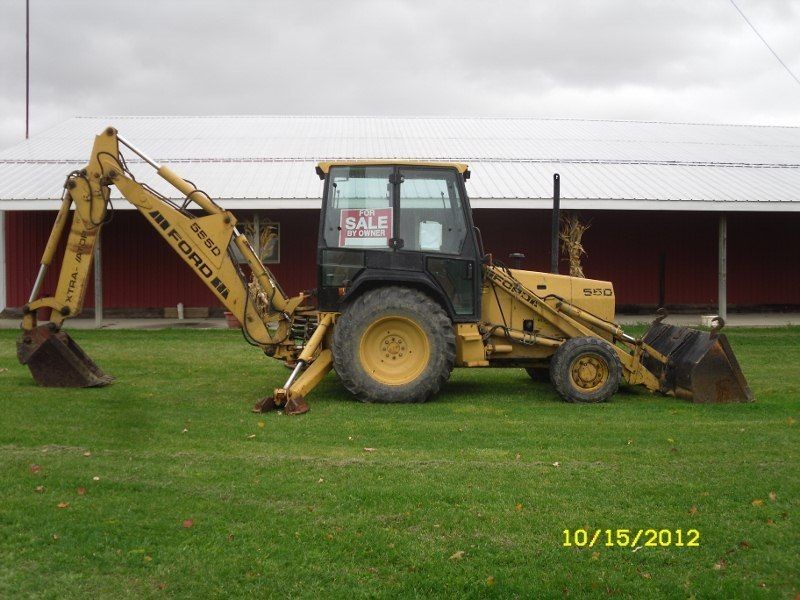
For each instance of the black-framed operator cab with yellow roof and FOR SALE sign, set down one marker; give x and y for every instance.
(397, 223)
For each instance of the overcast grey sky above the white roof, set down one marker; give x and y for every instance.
(677, 60)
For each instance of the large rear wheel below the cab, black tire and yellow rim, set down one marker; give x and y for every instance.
(393, 344)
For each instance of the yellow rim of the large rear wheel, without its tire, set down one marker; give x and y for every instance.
(394, 350)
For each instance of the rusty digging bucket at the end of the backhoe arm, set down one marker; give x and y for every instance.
(55, 360)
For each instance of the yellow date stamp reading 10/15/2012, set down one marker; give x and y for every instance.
(631, 538)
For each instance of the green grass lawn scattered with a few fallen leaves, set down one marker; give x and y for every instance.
(170, 486)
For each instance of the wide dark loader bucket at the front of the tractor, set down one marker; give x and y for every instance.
(700, 366)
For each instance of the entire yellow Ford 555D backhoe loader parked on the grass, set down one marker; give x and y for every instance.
(405, 294)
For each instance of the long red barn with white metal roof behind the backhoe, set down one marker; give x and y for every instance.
(672, 206)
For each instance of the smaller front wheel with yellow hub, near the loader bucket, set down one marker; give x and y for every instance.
(585, 369)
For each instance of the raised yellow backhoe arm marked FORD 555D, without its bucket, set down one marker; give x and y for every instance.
(203, 242)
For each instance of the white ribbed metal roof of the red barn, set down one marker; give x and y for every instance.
(268, 161)
